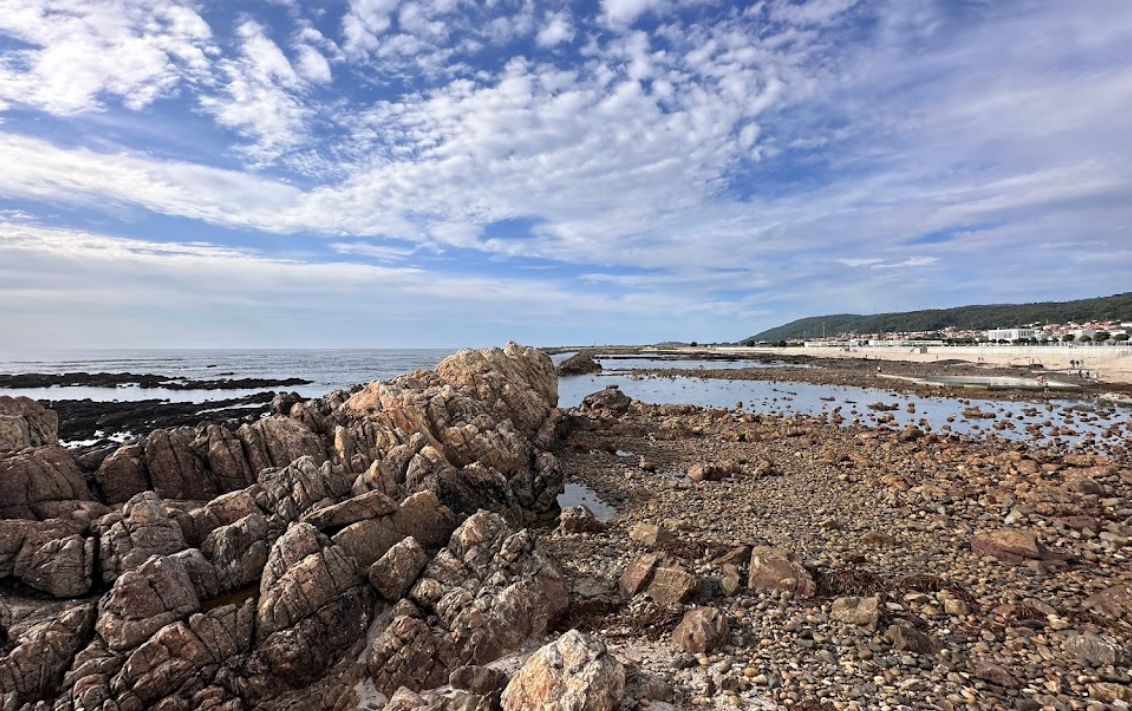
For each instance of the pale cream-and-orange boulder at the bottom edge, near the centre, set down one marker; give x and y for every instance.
(574, 673)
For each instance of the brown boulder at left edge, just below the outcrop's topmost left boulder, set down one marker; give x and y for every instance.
(42, 484)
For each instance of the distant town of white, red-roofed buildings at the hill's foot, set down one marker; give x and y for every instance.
(1093, 333)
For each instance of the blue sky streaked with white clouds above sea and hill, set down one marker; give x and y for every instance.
(435, 174)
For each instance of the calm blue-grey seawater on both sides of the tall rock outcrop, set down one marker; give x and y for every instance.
(331, 370)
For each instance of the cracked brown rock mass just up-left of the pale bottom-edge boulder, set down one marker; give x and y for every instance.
(490, 590)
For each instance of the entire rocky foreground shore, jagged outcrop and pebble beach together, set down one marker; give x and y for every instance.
(367, 551)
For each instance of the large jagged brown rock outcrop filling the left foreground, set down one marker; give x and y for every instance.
(333, 553)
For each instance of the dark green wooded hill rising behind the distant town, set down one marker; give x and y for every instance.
(1118, 307)
